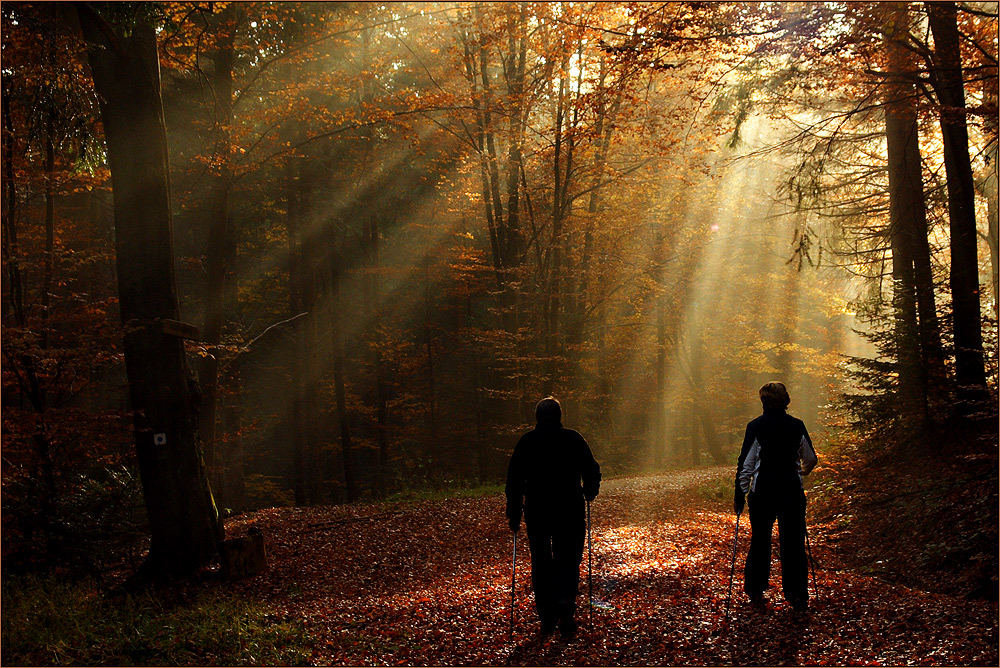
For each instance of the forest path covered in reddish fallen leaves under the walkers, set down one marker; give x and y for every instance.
(428, 583)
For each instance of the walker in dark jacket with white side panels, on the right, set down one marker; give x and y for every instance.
(776, 454)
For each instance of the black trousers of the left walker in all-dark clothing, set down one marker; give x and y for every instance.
(556, 553)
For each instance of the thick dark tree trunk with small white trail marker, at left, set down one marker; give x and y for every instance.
(184, 526)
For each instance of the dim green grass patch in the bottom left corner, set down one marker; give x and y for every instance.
(50, 622)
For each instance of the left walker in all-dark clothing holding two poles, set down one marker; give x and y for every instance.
(551, 473)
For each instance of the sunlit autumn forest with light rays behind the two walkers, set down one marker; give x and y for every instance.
(397, 226)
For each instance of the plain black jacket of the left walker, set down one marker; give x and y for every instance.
(551, 472)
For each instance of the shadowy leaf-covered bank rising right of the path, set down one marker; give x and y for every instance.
(920, 512)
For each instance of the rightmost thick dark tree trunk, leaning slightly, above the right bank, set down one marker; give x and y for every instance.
(947, 78)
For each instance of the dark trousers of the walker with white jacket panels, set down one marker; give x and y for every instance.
(789, 509)
